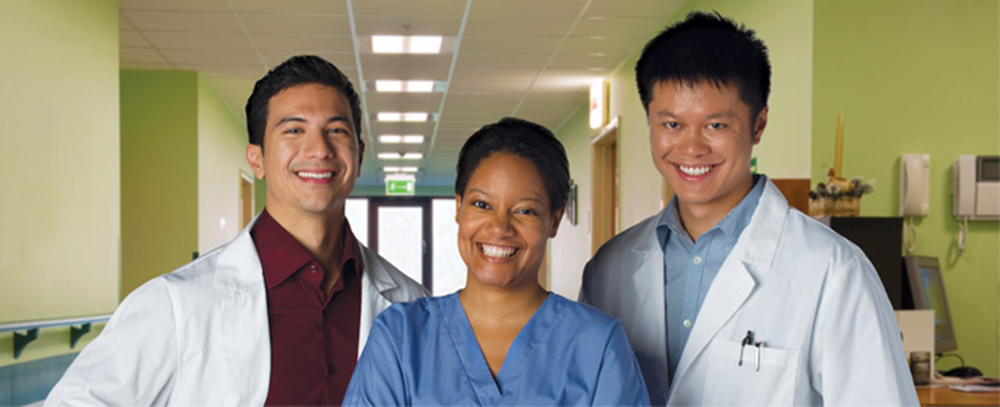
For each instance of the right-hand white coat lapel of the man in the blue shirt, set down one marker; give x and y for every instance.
(755, 250)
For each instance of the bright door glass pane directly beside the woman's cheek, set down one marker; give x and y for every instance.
(449, 271)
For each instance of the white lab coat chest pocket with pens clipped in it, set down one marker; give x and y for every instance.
(769, 382)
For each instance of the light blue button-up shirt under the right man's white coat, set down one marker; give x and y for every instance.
(691, 266)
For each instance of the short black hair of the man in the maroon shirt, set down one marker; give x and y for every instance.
(297, 70)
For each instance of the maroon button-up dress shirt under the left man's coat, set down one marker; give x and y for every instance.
(314, 336)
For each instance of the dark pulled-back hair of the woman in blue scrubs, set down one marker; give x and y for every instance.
(523, 139)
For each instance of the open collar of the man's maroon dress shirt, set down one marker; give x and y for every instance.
(281, 255)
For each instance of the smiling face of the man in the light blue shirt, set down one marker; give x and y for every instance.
(701, 137)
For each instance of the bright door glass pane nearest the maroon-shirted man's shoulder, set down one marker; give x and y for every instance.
(400, 238)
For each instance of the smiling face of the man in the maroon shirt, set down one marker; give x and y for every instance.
(311, 155)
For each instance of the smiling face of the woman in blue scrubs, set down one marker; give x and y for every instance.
(504, 221)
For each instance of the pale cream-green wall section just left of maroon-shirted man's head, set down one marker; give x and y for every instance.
(222, 140)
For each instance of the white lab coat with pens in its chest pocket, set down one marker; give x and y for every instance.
(813, 298)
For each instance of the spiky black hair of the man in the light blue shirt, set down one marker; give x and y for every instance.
(707, 48)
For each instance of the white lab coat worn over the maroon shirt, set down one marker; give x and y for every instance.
(199, 336)
